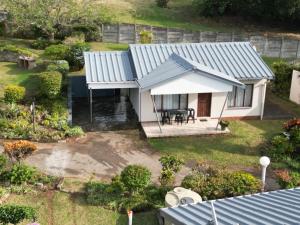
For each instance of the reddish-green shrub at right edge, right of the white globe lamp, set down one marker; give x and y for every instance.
(287, 179)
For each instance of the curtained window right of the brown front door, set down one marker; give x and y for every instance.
(241, 97)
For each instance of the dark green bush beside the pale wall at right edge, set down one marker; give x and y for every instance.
(283, 77)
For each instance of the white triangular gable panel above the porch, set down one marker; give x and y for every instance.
(191, 83)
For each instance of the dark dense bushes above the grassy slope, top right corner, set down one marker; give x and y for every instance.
(281, 10)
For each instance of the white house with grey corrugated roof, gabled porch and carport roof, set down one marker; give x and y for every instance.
(217, 80)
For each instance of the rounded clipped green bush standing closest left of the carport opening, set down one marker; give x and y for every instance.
(51, 83)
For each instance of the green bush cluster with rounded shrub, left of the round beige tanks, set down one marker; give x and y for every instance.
(130, 191)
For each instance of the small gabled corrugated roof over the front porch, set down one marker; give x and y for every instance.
(177, 65)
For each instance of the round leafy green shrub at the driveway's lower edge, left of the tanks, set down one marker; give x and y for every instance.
(135, 177)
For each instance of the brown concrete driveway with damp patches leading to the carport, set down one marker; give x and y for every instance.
(99, 154)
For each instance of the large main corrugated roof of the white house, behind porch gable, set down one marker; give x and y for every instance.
(236, 59)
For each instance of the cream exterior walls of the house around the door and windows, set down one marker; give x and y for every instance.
(217, 102)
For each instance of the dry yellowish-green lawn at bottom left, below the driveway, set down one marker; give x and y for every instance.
(56, 208)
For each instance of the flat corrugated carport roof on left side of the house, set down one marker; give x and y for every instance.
(111, 66)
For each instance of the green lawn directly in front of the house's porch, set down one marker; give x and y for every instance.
(239, 149)
